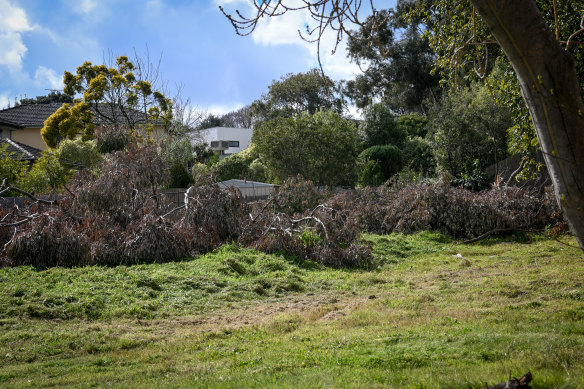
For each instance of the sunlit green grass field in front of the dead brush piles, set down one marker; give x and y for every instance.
(425, 318)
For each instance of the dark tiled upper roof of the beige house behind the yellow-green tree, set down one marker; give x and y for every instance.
(34, 115)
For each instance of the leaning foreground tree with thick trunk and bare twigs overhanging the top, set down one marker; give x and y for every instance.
(546, 70)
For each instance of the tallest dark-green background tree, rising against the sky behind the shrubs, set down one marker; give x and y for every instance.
(398, 70)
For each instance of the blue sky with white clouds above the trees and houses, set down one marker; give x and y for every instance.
(198, 49)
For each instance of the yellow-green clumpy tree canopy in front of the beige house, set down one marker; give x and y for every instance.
(120, 96)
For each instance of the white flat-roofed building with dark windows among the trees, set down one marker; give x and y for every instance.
(225, 140)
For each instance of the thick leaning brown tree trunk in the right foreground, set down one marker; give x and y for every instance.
(549, 84)
